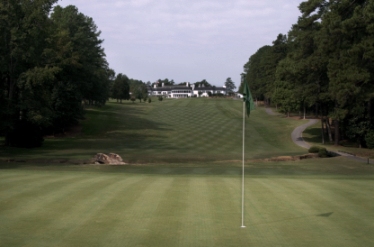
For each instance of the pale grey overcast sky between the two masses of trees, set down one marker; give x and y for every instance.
(186, 40)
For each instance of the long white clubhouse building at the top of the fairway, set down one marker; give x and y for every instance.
(186, 91)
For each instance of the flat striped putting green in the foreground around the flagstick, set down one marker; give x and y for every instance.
(288, 204)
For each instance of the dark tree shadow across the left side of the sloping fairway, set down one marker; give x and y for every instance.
(113, 130)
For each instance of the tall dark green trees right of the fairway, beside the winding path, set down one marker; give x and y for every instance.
(324, 64)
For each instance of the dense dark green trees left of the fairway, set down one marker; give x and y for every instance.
(52, 63)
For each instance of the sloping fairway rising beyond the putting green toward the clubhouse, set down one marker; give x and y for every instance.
(178, 131)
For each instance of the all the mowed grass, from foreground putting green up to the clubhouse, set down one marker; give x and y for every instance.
(182, 183)
